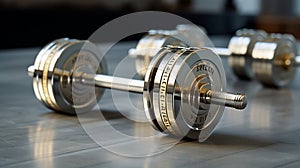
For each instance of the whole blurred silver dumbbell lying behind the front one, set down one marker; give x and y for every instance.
(271, 70)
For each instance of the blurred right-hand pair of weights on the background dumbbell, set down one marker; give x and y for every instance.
(272, 59)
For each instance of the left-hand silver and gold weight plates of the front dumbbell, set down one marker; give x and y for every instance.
(57, 92)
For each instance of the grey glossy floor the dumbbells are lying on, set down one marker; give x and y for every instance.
(266, 134)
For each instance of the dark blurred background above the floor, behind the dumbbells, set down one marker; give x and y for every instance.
(30, 23)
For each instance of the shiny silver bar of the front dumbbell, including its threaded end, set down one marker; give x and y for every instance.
(237, 101)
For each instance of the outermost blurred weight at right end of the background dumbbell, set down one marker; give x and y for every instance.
(276, 49)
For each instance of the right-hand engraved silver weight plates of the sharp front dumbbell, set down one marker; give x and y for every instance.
(184, 113)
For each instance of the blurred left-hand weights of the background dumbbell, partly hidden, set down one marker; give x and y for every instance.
(184, 35)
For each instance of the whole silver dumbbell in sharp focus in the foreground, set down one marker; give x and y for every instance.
(183, 89)
